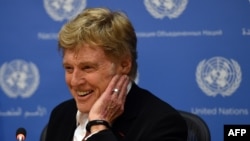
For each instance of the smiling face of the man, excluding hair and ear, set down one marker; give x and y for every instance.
(87, 72)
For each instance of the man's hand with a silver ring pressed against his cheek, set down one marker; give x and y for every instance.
(110, 105)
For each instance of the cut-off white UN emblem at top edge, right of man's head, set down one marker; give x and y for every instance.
(162, 8)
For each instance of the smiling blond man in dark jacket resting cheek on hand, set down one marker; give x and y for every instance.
(99, 58)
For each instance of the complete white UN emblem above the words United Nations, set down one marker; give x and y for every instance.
(218, 76)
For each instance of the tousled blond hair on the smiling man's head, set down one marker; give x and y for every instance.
(110, 30)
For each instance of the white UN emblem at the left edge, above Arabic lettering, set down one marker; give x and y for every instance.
(19, 78)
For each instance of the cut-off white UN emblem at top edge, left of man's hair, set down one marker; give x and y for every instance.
(60, 10)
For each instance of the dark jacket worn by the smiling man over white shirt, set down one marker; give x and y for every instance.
(145, 118)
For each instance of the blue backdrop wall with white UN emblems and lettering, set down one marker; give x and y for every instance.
(193, 54)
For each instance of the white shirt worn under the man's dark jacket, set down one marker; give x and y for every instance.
(81, 122)
